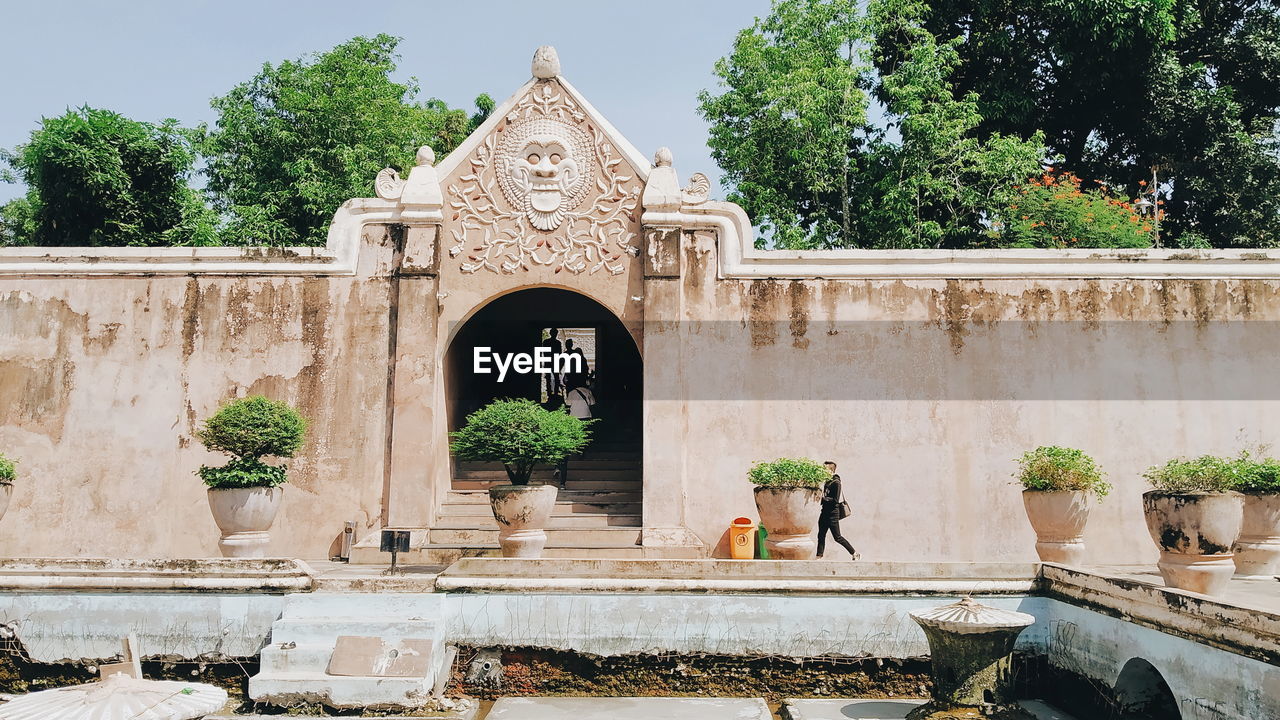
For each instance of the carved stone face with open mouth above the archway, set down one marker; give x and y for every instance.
(545, 170)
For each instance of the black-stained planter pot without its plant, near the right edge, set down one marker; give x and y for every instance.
(1195, 534)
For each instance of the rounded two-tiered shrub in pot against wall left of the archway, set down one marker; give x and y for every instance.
(245, 494)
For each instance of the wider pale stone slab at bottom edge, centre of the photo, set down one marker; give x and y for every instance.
(629, 709)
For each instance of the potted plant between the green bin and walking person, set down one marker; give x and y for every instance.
(789, 498)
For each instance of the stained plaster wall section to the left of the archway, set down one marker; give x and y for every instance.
(104, 381)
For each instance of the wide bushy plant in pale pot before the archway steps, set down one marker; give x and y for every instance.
(520, 435)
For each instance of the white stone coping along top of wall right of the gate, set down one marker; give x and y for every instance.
(739, 258)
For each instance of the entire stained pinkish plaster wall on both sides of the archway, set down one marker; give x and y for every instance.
(924, 390)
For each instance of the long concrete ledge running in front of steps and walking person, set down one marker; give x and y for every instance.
(739, 577)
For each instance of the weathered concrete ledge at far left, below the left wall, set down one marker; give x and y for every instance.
(205, 576)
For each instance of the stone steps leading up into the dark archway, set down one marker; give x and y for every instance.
(598, 512)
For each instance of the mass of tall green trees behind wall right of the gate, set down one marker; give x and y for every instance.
(975, 97)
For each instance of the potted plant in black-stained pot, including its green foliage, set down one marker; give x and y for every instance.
(1195, 517)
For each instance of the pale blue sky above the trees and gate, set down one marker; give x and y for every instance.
(641, 63)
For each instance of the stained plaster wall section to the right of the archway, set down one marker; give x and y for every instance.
(925, 391)
